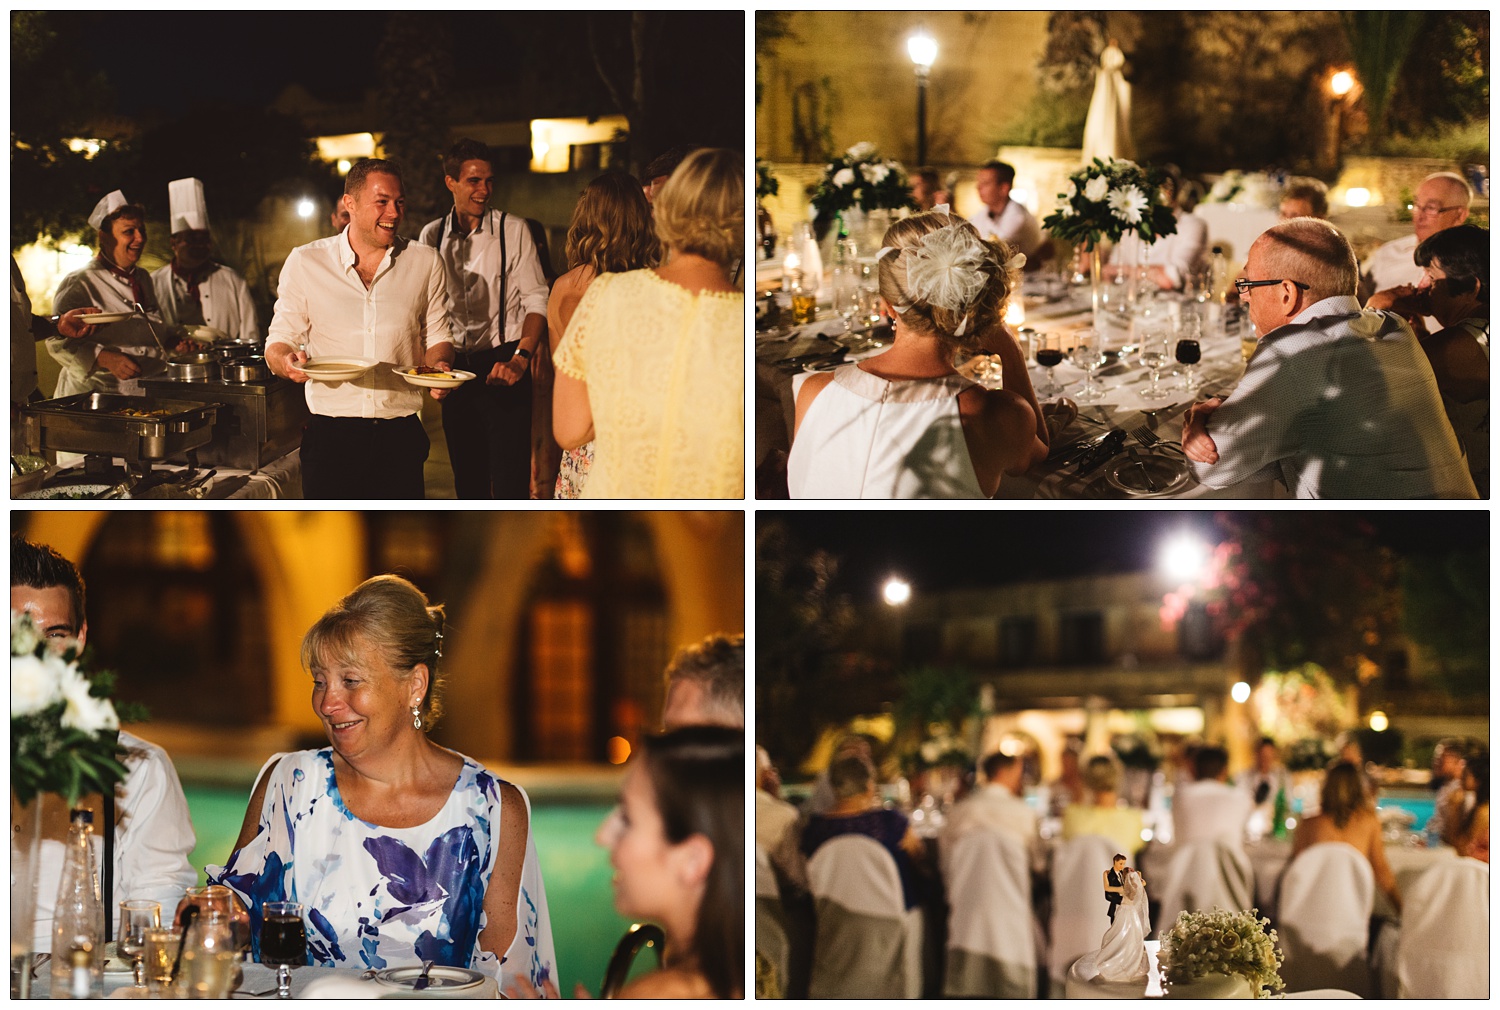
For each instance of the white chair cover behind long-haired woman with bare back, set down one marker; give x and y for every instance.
(1328, 894)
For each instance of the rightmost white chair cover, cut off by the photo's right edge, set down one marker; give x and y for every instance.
(1444, 952)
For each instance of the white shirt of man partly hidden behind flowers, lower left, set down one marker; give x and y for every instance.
(154, 838)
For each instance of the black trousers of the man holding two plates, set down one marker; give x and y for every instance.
(364, 457)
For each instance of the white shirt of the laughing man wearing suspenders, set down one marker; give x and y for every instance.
(473, 268)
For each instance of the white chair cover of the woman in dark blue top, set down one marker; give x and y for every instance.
(868, 945)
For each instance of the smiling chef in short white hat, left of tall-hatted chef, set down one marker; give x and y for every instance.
(121, 352)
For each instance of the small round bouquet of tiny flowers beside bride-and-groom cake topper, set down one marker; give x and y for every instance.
(1223, 943)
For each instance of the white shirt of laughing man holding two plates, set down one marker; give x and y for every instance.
(325, 305)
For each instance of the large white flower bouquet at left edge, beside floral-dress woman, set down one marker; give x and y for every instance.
(65, 730)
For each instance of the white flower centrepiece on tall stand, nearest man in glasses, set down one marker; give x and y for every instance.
(1111, 200)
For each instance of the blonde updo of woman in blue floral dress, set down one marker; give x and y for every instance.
(391, 616)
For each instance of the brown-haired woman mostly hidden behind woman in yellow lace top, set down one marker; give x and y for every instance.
(611, 233)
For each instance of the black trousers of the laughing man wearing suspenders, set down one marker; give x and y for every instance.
(488, 430)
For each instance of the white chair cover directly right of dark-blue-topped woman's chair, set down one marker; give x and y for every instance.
(992, 946)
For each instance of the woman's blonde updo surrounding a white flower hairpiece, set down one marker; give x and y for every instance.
(985, 311)
